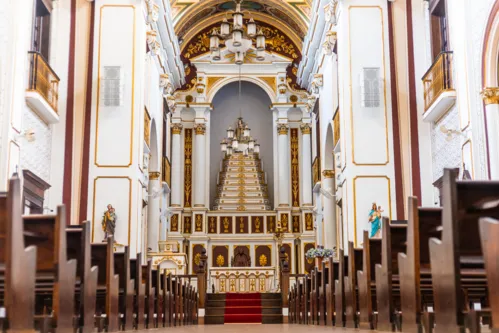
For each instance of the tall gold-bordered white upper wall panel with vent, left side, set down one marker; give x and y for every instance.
(114, 123)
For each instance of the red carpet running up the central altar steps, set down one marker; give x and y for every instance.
(243, 308)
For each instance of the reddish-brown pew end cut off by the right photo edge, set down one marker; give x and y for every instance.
(489, 234)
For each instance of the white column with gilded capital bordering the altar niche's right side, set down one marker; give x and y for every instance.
(283, 150)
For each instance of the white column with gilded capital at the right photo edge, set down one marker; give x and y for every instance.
(491, 99)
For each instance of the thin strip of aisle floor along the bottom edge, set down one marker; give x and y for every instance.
(256, 328)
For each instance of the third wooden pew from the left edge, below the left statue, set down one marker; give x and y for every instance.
(78, 248)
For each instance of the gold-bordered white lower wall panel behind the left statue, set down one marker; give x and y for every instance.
(117, 192)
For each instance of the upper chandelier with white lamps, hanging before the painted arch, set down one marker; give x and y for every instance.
(238, 37)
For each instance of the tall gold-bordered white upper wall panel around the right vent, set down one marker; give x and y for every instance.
(369, 125)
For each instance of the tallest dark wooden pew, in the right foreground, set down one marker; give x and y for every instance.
(457, 255)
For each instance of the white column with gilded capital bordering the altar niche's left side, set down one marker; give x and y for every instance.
(199, 166)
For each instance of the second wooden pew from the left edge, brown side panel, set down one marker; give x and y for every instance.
(48, 234)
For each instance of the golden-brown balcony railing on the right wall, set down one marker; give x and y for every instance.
(439, 78)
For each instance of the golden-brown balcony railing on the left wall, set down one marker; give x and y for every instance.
(43, 79)
